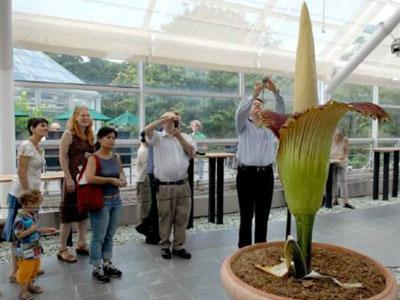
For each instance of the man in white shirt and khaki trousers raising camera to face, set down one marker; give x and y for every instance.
(172, 151)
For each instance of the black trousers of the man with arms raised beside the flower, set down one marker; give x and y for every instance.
(255, 188)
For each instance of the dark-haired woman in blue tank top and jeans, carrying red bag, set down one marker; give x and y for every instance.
(105, 221)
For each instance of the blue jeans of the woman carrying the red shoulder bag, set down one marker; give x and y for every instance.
(104, 224)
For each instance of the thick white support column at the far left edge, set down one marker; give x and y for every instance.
(7, 130)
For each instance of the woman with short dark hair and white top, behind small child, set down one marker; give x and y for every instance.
(30, 165)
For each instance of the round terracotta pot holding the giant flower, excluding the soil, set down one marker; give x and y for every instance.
(240, 290)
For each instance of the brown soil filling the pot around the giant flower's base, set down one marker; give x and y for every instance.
(347, 268)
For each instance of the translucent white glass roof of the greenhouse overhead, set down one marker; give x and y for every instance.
(241, 35)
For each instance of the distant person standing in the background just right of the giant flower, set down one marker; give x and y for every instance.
(339, 155)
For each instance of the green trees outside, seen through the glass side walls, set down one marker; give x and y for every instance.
(216, 113)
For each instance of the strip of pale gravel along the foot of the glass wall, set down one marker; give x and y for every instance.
(127, 233)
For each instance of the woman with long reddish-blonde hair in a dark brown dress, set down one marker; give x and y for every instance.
(76, 144)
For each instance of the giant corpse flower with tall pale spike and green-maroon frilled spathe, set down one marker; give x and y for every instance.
(305, 143)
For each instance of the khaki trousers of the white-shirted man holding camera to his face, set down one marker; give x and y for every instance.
(173, 213)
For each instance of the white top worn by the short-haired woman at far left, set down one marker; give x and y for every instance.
(34, 170)
